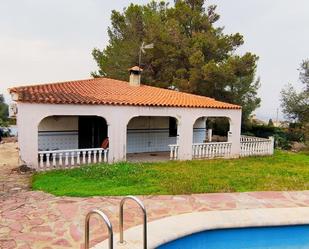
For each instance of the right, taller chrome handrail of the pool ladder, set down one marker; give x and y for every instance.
(141, 205)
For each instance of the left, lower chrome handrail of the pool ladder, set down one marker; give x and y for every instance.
(107, 223)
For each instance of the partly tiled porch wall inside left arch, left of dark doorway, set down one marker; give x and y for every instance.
(58, 133)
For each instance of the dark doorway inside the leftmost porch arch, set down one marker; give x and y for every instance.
(92, 131)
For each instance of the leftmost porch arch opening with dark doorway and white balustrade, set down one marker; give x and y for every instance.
(70, 141)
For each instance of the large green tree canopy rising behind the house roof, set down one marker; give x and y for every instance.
(189, 53)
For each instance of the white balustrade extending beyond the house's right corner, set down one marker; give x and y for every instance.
(256, 146)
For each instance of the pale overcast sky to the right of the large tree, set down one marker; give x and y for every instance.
(277, 32)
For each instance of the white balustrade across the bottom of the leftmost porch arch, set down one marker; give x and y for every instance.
(71, 158)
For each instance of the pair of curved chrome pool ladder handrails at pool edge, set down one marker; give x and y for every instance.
(107, 222)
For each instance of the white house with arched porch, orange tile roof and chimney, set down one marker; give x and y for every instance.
(64, 124)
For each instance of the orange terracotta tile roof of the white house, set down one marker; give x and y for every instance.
(104, 91)
